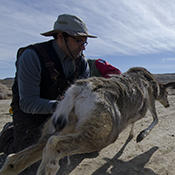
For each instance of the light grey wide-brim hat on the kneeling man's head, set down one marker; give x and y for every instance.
(70, 24)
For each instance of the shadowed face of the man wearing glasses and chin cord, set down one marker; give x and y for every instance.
(76, 45)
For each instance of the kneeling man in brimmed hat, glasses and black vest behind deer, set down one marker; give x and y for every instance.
(44, 72)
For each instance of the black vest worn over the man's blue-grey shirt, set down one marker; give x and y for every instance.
(53, 82)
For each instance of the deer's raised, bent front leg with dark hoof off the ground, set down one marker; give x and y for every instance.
(145, 132)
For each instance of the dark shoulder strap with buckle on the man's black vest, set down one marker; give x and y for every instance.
(48, 63)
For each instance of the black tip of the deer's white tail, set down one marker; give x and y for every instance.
(60, 123)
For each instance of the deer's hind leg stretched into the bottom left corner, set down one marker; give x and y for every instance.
(15, 163)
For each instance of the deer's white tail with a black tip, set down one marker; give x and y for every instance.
(60, 116)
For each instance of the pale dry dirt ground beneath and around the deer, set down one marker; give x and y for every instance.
(155, 155)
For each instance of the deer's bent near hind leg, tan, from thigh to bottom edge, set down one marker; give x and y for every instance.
(60, 146)
